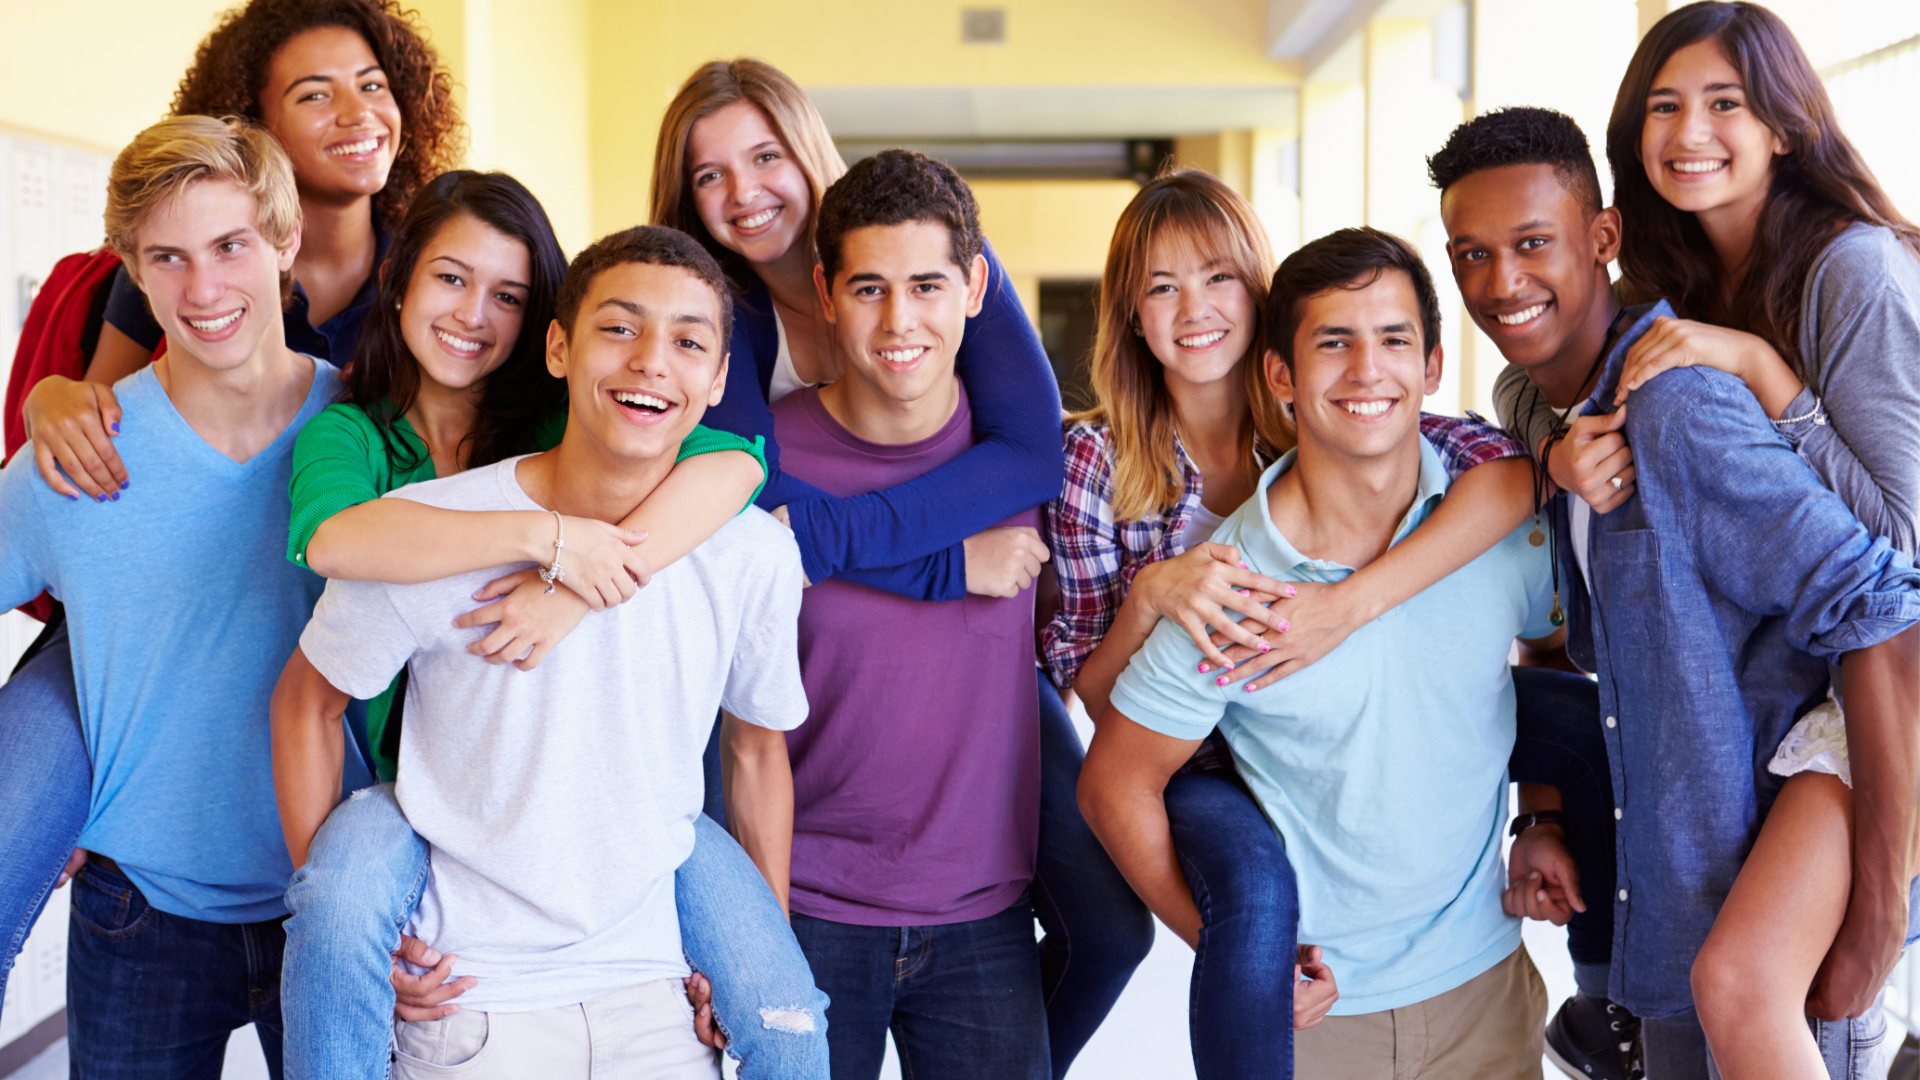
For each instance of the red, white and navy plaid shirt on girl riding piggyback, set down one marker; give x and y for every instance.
(1095, 556)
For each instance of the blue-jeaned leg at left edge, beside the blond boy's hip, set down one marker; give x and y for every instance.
(45, 789)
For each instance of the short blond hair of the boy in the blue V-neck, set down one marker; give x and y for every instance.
(178, 153)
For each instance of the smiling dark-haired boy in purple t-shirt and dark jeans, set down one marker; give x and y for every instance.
(917, 783)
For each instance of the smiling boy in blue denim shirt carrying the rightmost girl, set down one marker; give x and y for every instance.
(1710, 589)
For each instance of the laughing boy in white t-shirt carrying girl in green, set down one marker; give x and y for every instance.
(560, 802)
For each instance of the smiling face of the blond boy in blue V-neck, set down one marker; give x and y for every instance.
(210, 278)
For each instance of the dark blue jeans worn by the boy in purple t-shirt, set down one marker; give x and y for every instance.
(963, 1000)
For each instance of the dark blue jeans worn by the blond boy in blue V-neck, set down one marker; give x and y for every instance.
(158, 996)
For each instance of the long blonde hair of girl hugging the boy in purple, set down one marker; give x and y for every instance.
(788, 112)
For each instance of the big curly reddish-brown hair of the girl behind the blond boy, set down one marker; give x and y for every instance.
(231, 70)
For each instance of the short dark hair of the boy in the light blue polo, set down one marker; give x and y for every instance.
(1347, 258)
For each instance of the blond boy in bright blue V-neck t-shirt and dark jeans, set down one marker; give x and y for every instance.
(181, 612)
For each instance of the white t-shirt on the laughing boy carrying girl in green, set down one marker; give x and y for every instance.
(560, 802)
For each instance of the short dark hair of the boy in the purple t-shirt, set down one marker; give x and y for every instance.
(896, 187)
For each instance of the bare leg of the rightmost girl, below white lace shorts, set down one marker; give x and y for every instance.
(1777, 925)
